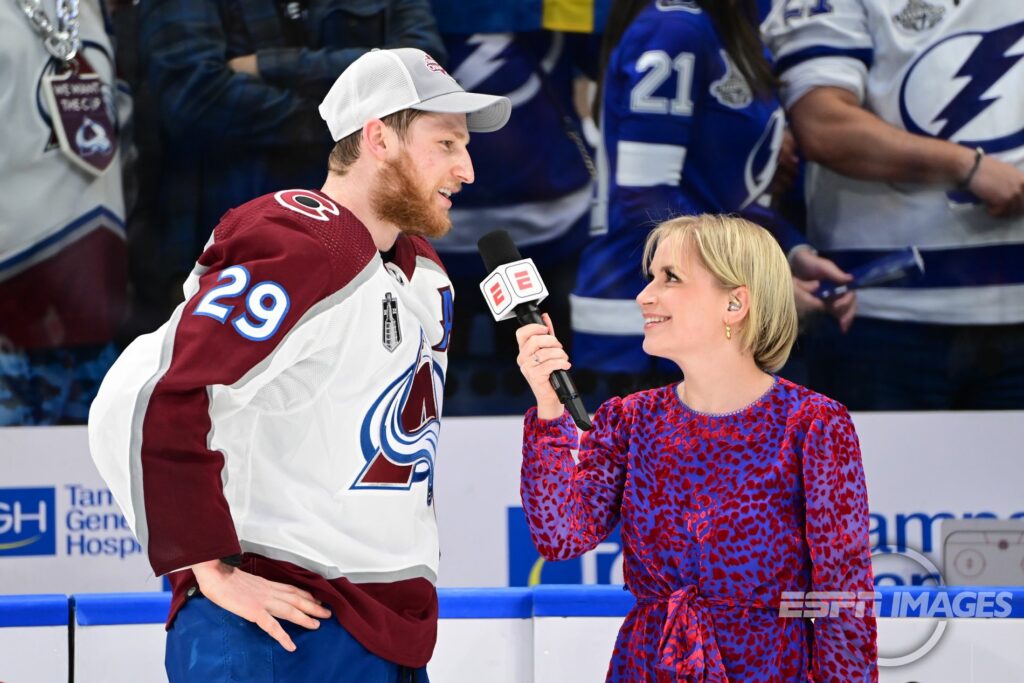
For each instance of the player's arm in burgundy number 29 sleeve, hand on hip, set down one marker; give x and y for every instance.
(223, 335)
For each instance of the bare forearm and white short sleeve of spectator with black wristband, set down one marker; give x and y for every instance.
(825, 55)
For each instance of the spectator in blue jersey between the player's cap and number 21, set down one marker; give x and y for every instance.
(541, 193)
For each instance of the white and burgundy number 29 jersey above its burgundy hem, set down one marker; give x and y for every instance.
(291, 406)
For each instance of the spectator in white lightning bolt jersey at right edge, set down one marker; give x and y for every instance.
(912, 115)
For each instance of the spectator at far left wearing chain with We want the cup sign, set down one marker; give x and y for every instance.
(63, 258)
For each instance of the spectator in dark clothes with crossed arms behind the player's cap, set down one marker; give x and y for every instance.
(233, 87)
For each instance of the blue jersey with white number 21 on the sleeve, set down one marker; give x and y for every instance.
(684, 134)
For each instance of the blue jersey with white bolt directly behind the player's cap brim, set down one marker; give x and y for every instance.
(531, 177)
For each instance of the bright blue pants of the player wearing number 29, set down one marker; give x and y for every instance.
(207, 645)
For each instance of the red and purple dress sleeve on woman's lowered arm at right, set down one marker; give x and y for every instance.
(837, 531)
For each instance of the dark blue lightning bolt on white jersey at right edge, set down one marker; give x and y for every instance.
(990, 62)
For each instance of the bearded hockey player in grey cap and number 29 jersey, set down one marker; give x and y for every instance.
(273, 445)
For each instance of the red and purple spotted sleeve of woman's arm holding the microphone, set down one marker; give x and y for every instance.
(573, 507)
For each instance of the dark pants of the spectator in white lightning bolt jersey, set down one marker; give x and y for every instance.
(891, 366)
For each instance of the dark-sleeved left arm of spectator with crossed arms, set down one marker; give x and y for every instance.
(199, 95)
